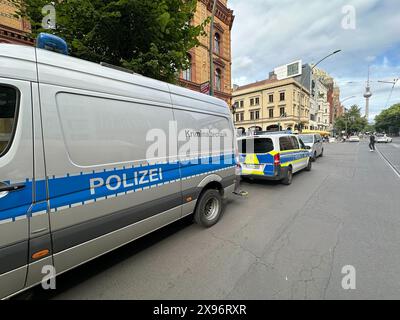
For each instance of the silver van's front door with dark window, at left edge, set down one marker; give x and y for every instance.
(16, 175)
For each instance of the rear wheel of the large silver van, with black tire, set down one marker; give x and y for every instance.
(209, 208)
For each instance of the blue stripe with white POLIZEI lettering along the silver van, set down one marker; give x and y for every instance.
(75, 190)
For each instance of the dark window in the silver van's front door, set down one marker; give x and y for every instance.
(8, 116)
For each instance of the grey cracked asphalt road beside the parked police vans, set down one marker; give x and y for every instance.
(282, 242)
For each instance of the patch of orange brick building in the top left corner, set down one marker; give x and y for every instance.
(12, 29)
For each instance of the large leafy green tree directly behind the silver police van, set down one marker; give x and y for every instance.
(150, 37)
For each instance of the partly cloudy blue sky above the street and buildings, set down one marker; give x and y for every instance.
(270, 33)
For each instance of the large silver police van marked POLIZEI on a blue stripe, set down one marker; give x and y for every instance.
(92, 158)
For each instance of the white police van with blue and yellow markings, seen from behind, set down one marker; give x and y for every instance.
(273, 156)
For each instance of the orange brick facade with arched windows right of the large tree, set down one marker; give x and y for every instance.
(199, 72)
